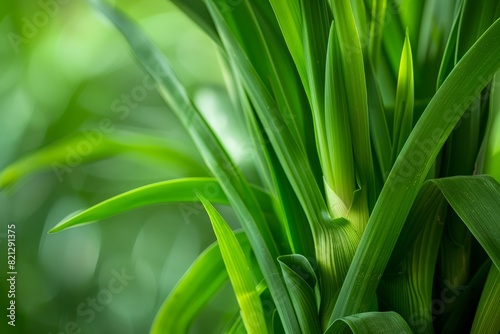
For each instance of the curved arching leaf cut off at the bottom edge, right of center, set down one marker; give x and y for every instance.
(370, 323)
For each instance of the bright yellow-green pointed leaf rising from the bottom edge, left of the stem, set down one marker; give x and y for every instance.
(239, 272)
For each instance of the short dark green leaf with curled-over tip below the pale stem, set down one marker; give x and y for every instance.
(302, 285)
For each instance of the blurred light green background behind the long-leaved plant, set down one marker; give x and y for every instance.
(65, 70)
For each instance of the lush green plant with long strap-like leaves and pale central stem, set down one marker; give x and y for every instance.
(368, 132)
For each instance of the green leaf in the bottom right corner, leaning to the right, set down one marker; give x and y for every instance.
(487, 319)
